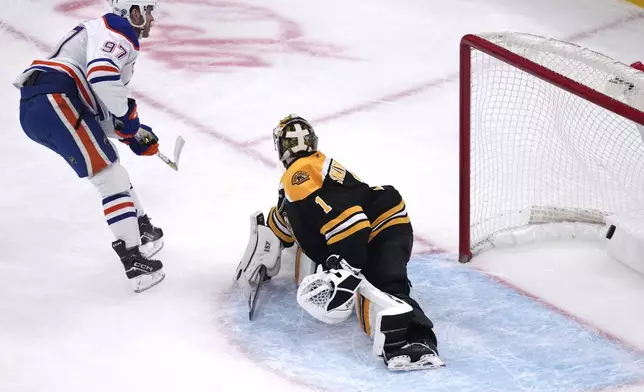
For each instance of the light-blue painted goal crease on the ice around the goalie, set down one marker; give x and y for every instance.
(490, 337)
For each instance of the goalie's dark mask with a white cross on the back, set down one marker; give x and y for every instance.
(294, 137)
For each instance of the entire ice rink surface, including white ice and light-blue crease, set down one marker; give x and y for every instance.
(379, 82)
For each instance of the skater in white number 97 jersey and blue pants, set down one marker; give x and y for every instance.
(77, 98)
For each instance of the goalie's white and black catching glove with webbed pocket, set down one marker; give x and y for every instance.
(329, 295)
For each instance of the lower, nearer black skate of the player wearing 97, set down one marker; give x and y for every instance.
(142, 271)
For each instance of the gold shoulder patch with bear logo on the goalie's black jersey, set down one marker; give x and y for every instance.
(304, 177)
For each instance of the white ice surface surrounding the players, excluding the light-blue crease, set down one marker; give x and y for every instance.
(378, 78)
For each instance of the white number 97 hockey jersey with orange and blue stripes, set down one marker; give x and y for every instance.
(99, 55)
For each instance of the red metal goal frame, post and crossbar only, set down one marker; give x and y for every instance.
(472, 42)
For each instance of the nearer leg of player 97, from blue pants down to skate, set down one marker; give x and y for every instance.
(57, 122)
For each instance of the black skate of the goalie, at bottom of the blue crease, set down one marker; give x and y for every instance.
(420, 354)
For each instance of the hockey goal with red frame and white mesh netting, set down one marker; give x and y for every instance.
(549, 137)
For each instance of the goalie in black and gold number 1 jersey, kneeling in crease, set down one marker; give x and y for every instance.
(357, 239)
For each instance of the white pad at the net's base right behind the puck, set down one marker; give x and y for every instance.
(625, 239)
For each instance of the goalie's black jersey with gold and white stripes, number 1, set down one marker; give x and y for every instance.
(328, 210)
